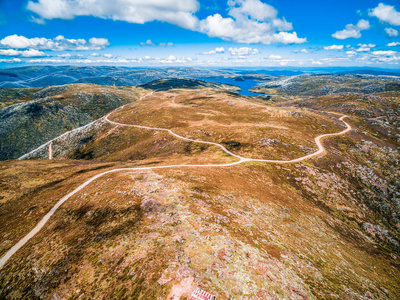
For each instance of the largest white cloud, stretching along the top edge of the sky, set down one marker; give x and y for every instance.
(249, 21)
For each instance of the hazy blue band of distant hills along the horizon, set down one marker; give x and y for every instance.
(43, 76)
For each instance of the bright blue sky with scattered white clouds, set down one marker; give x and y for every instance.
(228, 33)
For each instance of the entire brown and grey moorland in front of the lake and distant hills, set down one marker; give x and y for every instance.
(326, 227)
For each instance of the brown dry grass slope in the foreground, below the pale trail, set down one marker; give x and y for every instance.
(234, 231)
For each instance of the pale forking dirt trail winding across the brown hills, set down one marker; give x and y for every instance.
(46, 218)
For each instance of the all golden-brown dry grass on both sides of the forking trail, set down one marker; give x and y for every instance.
(256, 230)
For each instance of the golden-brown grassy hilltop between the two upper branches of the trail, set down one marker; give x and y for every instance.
(220, 118)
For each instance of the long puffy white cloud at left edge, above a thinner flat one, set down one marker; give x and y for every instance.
(59, 43)
